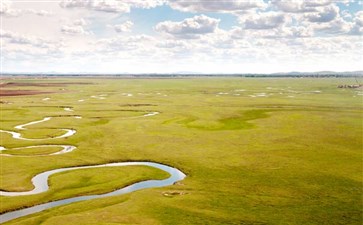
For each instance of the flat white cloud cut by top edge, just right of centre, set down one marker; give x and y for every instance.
(215, 5)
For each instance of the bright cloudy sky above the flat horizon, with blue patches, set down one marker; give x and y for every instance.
(180, 36)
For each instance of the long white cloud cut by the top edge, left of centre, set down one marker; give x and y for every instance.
(111, 6)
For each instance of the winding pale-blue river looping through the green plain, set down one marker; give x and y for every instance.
(40, 181)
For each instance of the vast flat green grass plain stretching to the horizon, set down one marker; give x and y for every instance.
(255, 151)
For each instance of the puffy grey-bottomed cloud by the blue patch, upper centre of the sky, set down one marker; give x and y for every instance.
(189, 27)
